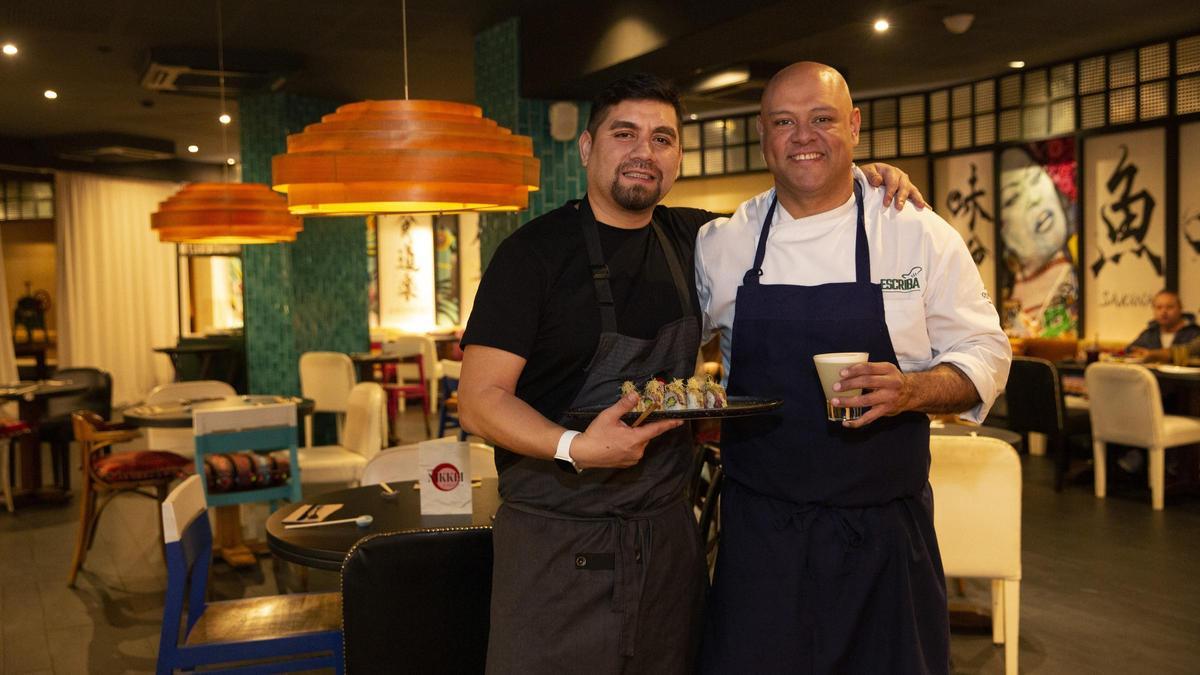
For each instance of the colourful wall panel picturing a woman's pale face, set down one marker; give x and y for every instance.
(1039, 216)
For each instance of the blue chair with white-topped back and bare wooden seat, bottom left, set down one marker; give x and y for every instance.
(296, 632)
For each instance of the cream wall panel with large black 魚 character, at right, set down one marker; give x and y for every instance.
(1125, 226)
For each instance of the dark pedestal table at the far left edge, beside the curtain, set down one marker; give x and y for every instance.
(33, 401)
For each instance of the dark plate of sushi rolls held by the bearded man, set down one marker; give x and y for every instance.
(698, 398)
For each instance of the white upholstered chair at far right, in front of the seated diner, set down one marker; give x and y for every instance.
(1127, 409)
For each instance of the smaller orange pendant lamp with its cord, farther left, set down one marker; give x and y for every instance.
(225, 213)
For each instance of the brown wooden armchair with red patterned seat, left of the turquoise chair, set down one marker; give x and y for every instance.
(107, 475)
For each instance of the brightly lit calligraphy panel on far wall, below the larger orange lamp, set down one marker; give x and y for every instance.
(406, 272)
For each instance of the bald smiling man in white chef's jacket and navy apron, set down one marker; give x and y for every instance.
(829, 560)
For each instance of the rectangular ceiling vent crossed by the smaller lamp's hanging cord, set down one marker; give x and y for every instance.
(195, 71)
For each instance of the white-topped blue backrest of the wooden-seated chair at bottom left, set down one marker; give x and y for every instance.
(188, 539)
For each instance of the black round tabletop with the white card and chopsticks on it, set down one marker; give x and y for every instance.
(326, 548)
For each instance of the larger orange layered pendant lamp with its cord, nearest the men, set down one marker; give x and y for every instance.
(409, 157)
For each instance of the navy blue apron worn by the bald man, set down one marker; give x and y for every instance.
(829, 561)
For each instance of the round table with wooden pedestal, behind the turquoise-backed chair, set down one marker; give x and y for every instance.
(229, 545)
